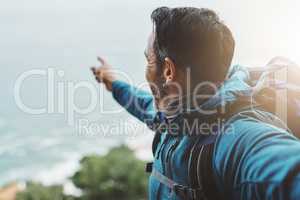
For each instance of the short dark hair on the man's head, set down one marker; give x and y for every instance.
(195, 38)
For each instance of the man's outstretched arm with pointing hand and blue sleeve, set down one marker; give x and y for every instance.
(137, 102)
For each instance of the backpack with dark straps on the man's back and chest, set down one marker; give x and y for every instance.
(276, 89)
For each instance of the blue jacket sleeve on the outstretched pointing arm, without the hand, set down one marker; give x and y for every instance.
(137, 102)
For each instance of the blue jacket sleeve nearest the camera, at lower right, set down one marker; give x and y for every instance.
(258, 161)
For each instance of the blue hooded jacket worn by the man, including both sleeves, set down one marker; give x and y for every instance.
(254, 160)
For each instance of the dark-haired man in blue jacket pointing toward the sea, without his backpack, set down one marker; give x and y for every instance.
(189, 54)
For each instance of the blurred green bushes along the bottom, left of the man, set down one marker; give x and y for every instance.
(117, 175)
